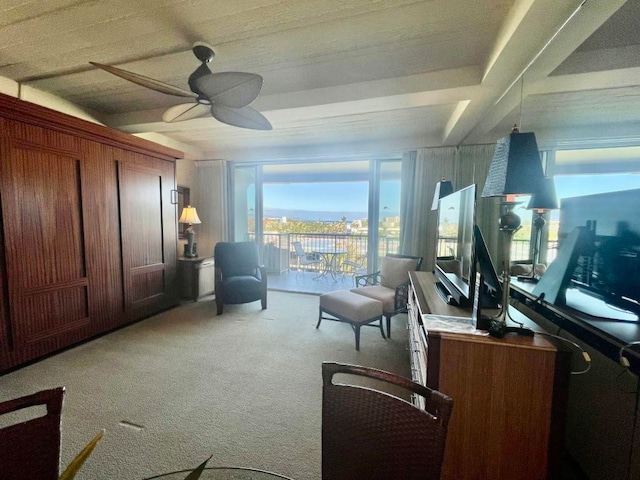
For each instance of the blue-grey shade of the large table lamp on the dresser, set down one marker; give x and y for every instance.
(516, 168)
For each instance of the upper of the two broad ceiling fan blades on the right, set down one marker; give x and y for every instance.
(231, 89)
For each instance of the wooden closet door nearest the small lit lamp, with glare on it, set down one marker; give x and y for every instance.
(148, 261)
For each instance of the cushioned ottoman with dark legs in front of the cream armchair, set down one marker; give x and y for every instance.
(356, 310)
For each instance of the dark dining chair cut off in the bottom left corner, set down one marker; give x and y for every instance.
(30, 447)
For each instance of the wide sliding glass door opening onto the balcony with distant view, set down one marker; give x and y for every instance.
(323, 206)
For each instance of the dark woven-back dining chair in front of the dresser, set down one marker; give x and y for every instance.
(369, 433)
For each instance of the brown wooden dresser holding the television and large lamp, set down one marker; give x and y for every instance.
(509, 394)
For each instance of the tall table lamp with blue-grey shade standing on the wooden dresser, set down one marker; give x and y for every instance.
(516, 169)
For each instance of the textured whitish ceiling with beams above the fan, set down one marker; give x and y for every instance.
(343, 76)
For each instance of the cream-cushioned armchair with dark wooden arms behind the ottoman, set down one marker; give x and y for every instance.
(390, 284)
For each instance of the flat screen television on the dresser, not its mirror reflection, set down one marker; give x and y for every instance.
(455, 256)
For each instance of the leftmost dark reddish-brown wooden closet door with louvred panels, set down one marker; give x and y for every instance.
(44, 246)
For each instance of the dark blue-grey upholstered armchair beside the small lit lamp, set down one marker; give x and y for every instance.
(239, 276)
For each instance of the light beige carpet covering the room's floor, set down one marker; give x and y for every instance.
(171, 390)
